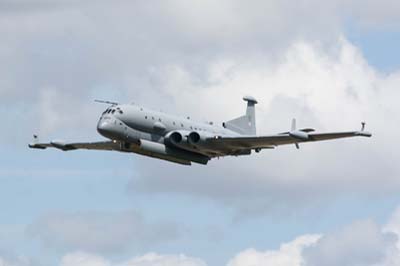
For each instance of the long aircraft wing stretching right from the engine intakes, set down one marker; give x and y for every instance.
(271, 141)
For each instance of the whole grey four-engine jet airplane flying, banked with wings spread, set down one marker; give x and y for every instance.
(134, 129)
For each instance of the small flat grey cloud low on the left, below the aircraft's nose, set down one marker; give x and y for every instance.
(104, 232)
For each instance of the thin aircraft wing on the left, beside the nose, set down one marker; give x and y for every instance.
(66, 146)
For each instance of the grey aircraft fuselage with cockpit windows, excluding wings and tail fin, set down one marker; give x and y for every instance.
(136, 126)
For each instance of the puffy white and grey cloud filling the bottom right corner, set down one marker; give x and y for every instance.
(362, 243)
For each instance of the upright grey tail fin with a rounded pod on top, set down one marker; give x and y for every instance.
(245, 125)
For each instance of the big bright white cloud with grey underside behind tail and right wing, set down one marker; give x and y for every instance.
(329, 88)
